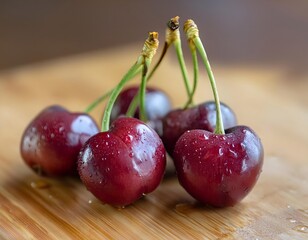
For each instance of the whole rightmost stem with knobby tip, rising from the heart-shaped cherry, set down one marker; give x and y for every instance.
(192, 32)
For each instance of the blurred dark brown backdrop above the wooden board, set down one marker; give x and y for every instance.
(240, 31)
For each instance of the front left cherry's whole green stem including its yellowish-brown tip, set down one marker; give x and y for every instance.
(148, 51)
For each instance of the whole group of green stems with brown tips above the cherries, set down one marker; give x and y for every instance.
(143, 63)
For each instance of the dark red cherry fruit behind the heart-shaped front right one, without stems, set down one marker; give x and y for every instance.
(202, 116)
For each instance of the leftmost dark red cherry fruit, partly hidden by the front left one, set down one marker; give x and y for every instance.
(51, 142)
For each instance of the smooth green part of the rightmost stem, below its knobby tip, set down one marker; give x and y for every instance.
(219, 129)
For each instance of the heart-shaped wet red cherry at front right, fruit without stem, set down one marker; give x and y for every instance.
(219, 169)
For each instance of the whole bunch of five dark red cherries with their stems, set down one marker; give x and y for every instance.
(217, 161)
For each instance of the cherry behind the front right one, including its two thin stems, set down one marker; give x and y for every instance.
(201, 116)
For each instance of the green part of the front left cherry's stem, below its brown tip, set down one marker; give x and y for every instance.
(135, 69)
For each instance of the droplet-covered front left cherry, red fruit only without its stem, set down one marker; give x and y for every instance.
(121, 165)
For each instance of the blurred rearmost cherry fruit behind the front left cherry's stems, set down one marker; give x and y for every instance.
(157, 105)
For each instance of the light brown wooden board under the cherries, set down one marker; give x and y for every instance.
(32, 207)
